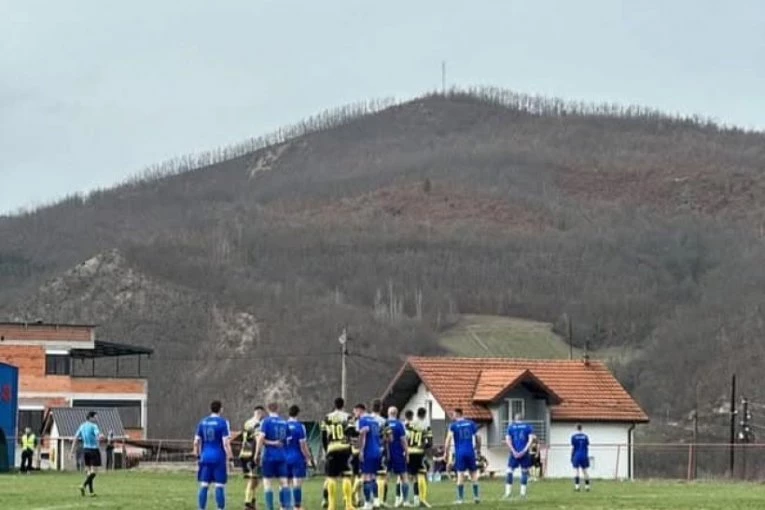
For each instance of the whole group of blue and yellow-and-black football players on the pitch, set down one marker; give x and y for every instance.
(363, 450)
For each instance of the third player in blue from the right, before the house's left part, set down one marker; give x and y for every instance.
(463, 435)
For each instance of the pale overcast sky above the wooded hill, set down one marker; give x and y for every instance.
(92, 91)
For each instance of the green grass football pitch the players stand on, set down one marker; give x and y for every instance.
(146, 491)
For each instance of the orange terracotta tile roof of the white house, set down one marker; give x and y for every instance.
(587, 392)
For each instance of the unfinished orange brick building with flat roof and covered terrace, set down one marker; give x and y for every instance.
(63, 365)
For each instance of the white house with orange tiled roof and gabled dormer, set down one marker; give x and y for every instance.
(552, 395)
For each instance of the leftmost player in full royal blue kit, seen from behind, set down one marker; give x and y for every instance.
(212, 446)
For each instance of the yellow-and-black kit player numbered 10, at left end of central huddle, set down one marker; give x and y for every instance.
(336, 431)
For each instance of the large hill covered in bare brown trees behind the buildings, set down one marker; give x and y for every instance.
(241, 266)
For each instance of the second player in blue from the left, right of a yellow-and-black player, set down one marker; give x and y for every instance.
(271, 449)
